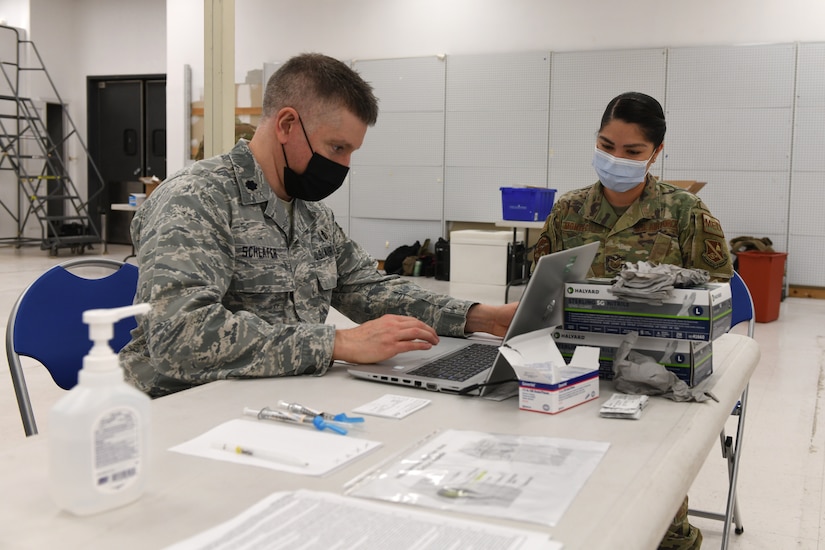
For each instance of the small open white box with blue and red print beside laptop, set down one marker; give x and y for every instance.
(546, 383)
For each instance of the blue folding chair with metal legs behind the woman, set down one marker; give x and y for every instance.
(742, 305)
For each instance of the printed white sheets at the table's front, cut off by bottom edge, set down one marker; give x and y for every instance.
(318, 521)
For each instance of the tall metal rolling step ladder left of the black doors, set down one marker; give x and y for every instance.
(45, 194)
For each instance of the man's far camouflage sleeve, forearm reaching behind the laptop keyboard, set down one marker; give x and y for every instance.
(363, 294)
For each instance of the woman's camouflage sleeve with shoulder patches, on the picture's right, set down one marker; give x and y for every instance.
(705, 246)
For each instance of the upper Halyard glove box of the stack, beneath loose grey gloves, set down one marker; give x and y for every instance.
(701, 313)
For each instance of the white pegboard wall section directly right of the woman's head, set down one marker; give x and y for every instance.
(730, 113)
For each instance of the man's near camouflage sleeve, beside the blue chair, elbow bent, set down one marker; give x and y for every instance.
(186, 258)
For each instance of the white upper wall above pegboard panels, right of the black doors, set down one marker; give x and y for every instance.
(272, 30)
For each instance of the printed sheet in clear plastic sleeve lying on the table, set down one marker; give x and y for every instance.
(524, 478)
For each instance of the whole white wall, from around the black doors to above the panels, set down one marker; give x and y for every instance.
(78, 38)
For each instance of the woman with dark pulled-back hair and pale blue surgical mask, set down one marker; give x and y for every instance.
(638, 218)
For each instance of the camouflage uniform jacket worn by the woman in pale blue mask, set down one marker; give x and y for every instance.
(665, 225)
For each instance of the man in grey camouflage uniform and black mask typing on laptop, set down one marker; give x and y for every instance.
(241, 262)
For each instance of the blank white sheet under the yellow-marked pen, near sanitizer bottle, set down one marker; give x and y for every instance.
(323, 452)
